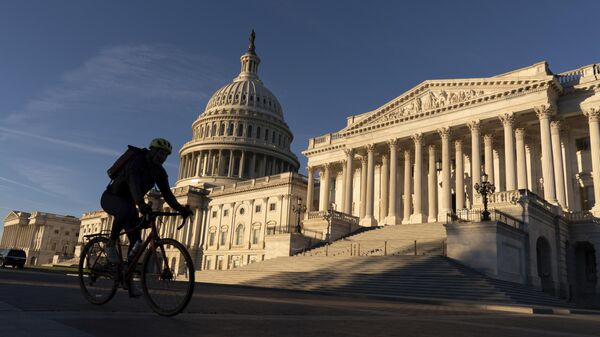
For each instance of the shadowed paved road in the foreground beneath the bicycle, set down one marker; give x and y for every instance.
(40, 304)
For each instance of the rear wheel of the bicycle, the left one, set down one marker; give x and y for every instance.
(96, 278)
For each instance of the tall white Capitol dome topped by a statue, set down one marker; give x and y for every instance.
(240, 135)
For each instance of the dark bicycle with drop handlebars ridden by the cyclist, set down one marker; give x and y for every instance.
(167, 270)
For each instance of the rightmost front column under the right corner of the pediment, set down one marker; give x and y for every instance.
(544, 112)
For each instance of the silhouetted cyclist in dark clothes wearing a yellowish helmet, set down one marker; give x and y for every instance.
(139, 174)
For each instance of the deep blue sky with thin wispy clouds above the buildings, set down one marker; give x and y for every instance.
(79, 80)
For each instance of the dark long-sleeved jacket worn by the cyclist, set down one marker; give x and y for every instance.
(138, 176)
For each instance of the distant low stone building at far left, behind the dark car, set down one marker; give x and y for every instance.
(45, 237)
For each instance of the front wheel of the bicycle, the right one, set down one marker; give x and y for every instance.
(168, 277)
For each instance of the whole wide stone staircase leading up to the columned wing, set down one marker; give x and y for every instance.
(386, 262)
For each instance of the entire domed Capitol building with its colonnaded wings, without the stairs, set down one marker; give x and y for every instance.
(413, 162)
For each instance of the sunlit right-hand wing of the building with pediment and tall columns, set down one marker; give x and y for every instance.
(417, 158)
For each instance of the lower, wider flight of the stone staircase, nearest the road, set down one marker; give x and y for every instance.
(425, 276)
